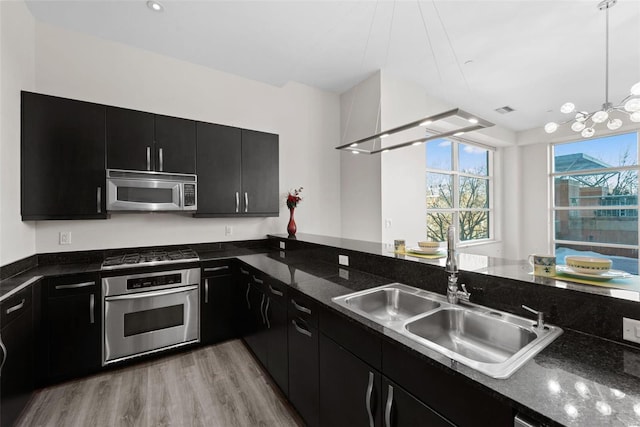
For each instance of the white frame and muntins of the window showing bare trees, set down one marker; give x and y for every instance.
(456, 175)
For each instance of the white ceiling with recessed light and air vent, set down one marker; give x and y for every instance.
(477, 55)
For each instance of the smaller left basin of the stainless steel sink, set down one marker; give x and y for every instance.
(390, 304)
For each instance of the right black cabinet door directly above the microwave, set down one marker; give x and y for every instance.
(175, 145)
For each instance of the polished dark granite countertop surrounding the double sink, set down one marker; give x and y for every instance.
(578, 380)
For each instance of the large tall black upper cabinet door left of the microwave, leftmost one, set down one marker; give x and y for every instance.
(63, 161)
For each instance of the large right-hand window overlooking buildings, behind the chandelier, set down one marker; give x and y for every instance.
(595, 209)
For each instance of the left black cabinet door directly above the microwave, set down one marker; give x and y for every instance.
(130, 136)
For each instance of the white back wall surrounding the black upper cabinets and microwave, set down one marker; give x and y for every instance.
(74, 65)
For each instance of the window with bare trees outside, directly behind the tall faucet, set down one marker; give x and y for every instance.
(459, 185)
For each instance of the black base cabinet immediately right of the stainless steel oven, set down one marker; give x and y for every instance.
(217, 316)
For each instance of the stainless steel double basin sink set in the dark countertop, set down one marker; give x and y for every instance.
(490, 341)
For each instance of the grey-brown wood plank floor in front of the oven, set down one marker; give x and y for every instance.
(219, 385)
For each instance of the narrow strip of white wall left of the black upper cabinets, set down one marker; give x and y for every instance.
(17, 41)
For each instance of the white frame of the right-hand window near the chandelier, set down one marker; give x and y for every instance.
(554, 209)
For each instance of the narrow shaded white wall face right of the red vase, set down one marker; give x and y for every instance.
(360, 174)
